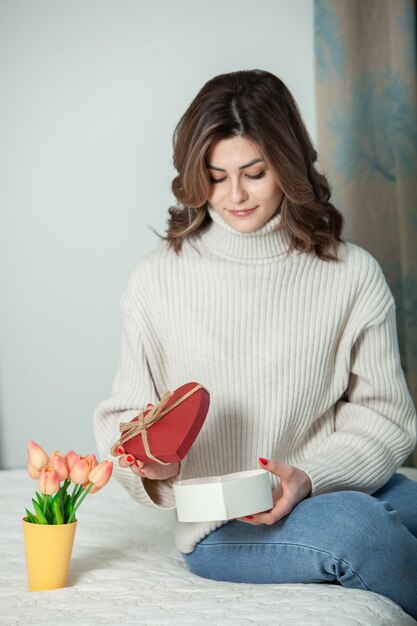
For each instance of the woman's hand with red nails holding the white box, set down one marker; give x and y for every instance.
(294, 486)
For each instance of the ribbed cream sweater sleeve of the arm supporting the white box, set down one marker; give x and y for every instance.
(375, 427)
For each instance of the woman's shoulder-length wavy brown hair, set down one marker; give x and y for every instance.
(257, 105)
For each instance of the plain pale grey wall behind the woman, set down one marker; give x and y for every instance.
(91, 92)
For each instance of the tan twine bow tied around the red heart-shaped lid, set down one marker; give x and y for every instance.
(140, 427)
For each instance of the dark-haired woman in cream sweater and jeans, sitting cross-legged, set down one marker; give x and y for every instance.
(254, 294)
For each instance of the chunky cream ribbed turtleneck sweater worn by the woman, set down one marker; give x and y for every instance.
(300, 357)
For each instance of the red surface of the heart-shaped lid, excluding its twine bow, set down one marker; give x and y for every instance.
(172, 436)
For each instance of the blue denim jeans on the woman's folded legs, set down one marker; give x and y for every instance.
(346, 537)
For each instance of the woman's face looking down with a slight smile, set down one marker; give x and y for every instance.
(239, 180)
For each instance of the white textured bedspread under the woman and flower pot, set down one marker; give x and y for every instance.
(126, 570)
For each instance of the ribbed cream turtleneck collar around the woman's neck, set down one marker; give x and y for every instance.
(258, 246)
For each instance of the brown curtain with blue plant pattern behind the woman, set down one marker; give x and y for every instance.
(366, 94)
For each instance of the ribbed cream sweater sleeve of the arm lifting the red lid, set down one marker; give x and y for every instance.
(133, 389)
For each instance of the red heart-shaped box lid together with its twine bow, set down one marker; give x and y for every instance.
(179, 420)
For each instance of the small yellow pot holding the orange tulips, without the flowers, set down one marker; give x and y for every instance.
(48, 554)
